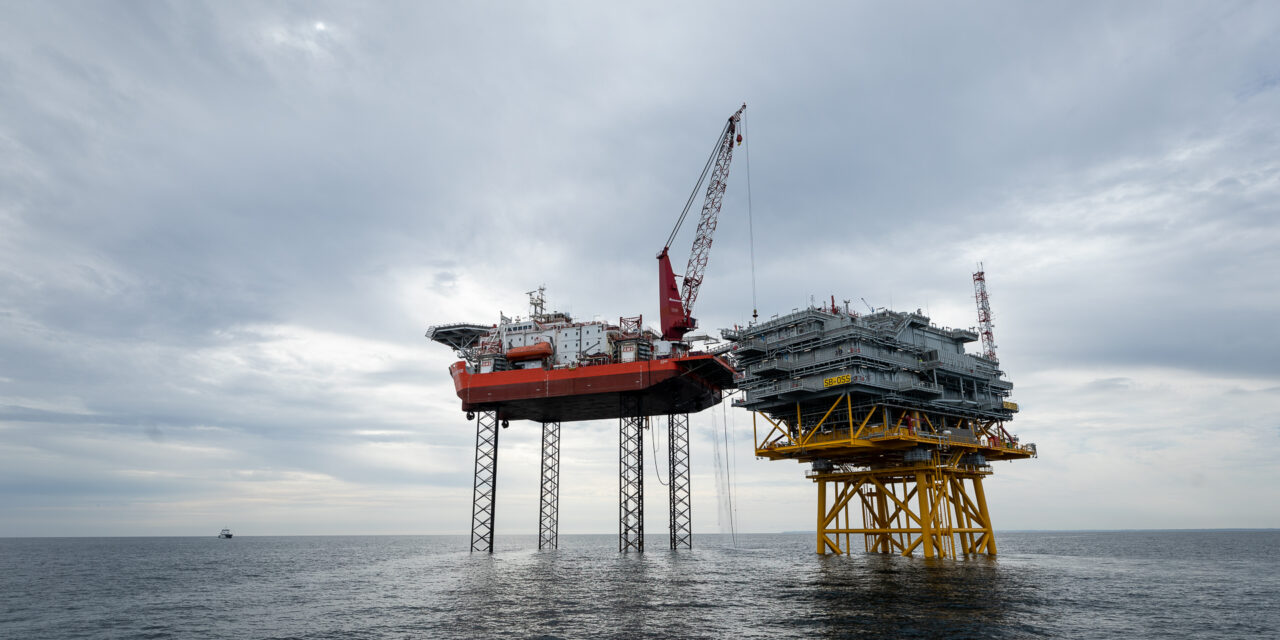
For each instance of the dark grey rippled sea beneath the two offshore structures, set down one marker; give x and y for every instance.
(1044, 584)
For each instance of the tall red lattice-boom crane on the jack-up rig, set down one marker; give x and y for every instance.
(676, 307)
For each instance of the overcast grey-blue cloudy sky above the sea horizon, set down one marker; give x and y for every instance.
(225, 230)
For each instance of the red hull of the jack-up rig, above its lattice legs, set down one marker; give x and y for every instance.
(671, 386)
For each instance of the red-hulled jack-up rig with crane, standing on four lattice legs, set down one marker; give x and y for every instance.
(551, 369)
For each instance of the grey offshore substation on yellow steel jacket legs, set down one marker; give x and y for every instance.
(894, 418)
